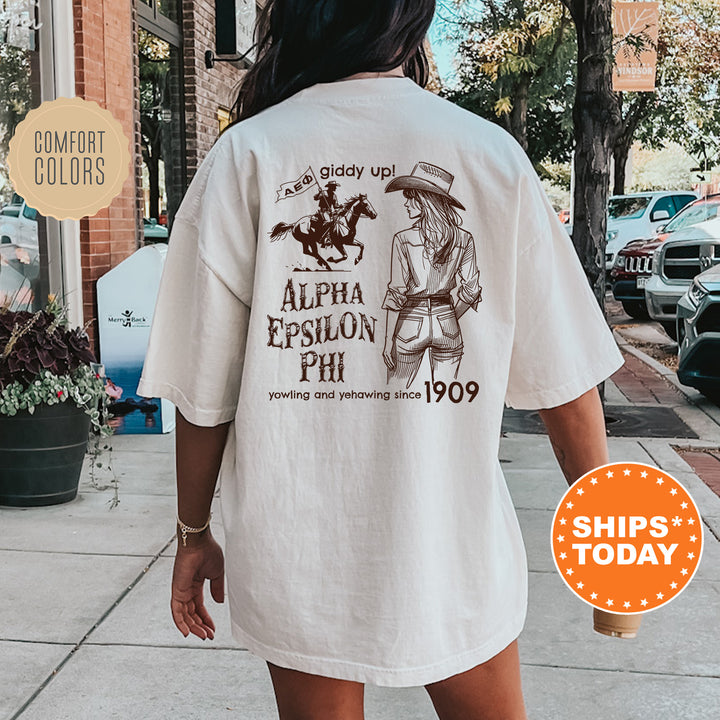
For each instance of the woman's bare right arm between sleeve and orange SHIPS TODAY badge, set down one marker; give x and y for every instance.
(577, 434)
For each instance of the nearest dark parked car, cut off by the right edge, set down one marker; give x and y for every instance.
(698, 331)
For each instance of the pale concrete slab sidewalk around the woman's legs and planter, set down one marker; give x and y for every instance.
(86, 632)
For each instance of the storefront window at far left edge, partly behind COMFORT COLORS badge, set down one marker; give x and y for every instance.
(23, 232)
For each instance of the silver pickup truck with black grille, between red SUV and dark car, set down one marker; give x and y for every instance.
(675, 264)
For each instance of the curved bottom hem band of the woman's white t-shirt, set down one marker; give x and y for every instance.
(382, 676)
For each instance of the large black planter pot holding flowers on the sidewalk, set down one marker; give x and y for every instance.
(41, 455)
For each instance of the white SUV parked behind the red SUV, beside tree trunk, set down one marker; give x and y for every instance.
(638, 216)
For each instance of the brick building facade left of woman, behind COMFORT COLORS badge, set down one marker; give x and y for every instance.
(107, 71)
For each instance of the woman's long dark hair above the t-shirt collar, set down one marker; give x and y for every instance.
(304, 42)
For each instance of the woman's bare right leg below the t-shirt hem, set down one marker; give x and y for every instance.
(491, 691)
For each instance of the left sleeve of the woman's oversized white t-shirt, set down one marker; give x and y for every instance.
(199, 329)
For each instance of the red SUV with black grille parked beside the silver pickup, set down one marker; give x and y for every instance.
(632, 268)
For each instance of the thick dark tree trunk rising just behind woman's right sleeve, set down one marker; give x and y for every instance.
(596, 122)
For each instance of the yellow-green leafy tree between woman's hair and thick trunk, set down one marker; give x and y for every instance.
(516, 67)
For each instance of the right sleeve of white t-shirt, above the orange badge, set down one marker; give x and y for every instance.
(562, 345)
